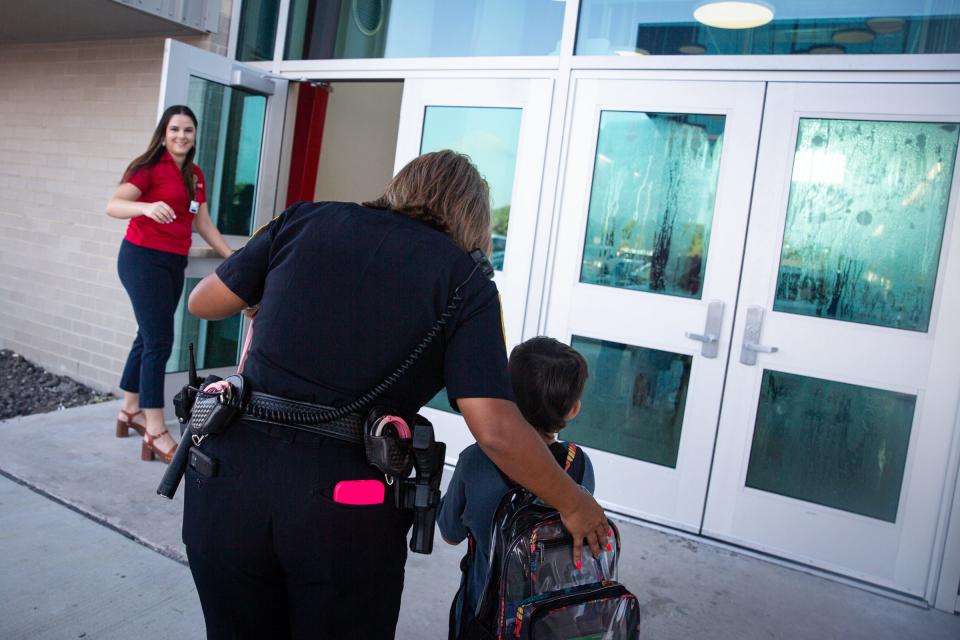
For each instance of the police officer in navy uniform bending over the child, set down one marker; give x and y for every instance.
(344, 292)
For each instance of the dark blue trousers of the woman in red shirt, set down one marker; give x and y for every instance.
(154, 281)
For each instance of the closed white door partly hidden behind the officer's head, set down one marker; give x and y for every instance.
(502, 125)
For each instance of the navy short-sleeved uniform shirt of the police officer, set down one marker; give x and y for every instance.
(346, 292)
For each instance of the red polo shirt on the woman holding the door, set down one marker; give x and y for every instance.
(164, 182)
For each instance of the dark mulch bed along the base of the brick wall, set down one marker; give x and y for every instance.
(26, 388)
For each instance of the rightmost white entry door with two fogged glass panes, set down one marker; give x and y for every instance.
(833, 449)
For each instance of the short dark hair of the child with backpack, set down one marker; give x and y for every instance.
(548, 378)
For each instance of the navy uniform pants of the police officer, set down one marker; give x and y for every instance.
(274, 557)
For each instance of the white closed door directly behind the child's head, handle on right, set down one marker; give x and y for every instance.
(655, 196)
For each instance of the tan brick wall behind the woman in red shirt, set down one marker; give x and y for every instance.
(72, 115)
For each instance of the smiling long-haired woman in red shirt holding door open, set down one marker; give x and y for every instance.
(163, 195)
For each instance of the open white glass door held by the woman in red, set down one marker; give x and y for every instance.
(240, 112)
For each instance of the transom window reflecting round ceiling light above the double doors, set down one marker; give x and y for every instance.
(784, 27)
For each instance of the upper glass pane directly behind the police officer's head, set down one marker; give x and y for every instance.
(490, 136)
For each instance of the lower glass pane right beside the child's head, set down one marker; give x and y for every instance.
(633, 402)
